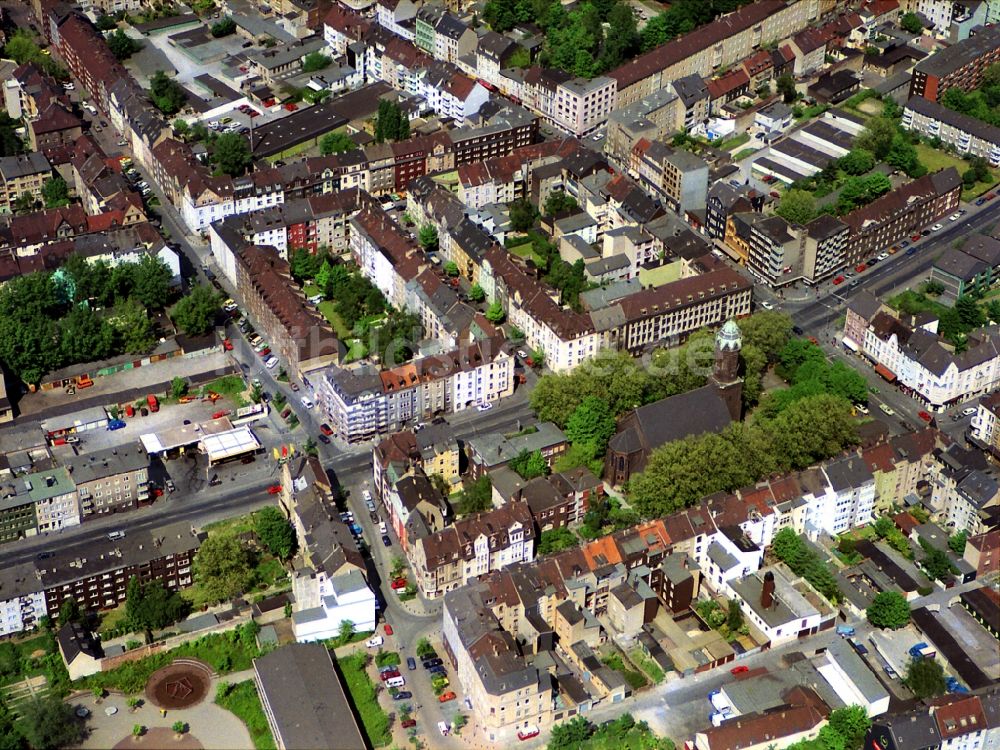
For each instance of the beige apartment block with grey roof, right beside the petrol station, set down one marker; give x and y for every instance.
(111, 480)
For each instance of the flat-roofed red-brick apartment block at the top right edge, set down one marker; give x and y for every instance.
(961, 65)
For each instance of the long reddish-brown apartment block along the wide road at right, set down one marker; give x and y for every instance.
(898, 214)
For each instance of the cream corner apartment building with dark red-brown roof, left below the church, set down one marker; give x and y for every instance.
(473, 546)
